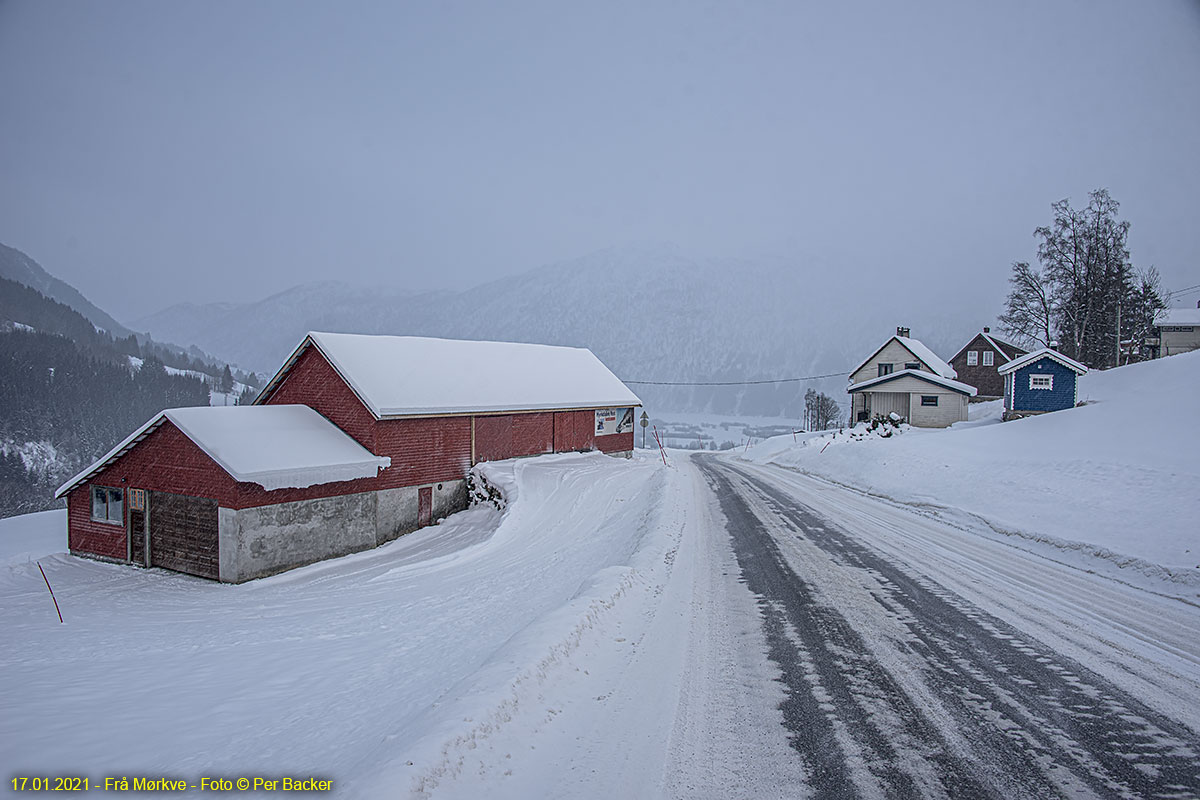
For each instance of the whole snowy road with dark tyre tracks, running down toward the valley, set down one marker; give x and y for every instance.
(922, 660)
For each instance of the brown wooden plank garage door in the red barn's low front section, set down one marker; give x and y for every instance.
(184, 534)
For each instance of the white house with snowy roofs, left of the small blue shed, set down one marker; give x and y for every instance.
(905, 378)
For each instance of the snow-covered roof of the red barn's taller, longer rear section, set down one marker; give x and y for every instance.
(412, 376)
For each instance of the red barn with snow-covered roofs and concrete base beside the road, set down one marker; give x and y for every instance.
(356, 441)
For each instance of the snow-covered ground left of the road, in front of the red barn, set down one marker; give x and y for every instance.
(478, 657)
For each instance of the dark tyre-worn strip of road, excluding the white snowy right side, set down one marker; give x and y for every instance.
(967, 706)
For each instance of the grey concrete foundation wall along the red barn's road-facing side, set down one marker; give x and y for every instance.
(265, 540)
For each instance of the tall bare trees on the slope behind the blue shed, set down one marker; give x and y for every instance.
(1085, 293)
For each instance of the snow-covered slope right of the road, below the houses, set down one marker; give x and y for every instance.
(1114, 484)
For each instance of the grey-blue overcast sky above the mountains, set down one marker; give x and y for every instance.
(157, 153)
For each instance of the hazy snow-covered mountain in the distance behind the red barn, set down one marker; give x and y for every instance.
(650, 312)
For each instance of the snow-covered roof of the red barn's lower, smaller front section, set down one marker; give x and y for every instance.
(277, 447)
